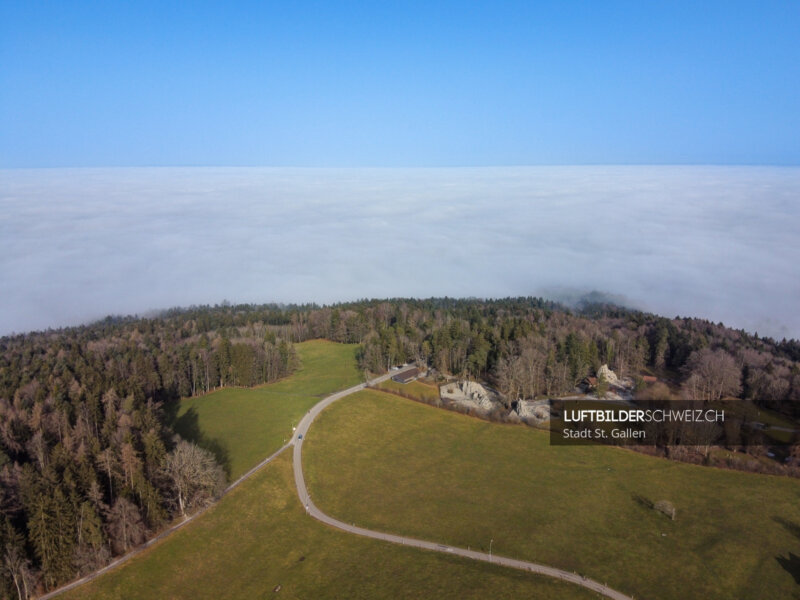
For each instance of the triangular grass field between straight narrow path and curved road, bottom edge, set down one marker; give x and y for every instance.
(259, 537)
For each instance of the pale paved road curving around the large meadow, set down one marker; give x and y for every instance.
(311, 509)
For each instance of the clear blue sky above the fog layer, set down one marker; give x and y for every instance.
(411, 84)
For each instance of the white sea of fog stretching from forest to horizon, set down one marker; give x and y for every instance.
(721, 243)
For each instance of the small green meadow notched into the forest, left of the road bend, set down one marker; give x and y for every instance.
(243, 426)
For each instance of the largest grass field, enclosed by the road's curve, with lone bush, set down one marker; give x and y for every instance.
(395, 465)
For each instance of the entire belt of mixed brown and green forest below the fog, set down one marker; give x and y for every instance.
(89, 465)
